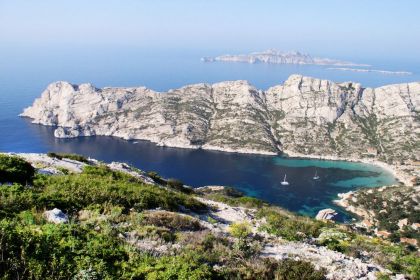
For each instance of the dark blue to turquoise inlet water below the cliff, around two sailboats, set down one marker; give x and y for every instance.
(255, 175)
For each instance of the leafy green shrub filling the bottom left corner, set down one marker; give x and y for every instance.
(56, 251)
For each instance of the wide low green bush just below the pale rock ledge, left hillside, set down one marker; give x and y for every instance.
(100, 186)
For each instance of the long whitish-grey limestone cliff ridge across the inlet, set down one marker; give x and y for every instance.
(304, 115)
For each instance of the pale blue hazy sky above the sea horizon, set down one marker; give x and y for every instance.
(349, 28)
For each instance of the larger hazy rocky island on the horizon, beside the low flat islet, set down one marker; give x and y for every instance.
(274, 56)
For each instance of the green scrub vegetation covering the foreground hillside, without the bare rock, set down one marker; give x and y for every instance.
(121, 228)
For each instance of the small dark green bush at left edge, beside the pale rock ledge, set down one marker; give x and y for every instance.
(15, 170)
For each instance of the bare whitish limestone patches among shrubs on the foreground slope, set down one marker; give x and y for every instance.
(218, 219)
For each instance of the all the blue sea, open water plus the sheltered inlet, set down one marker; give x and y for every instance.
(25, 73)
